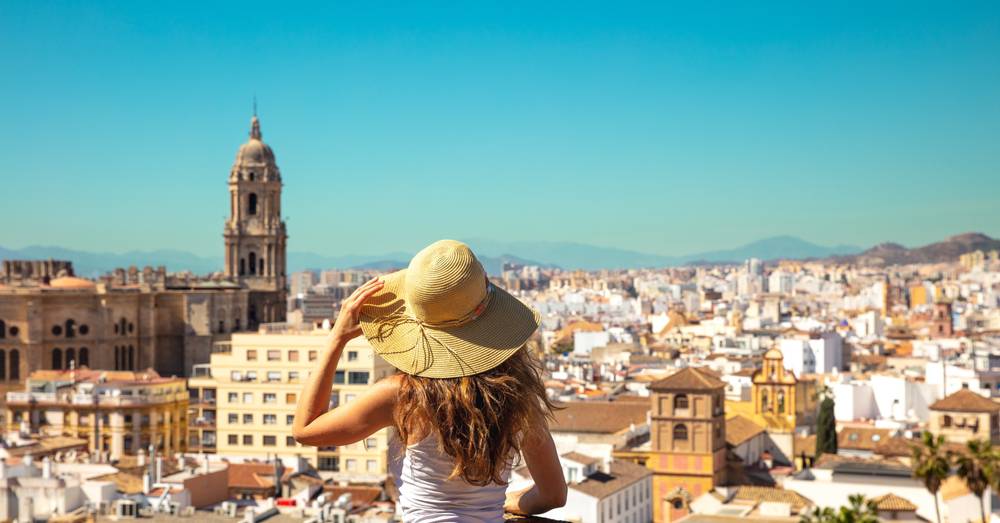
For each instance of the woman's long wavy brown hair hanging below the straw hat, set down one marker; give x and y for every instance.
(482, 420)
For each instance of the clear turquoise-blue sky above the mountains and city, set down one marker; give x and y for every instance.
(661, 127)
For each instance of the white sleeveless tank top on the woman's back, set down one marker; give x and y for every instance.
(426, 495)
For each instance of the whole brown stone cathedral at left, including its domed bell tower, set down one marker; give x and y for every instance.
(133, 319)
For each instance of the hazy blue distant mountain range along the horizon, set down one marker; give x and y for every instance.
(567, 255)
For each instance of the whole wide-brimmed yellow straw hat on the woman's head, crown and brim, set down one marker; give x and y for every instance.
(442, 318)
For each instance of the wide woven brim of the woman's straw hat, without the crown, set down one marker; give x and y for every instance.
(448, 352)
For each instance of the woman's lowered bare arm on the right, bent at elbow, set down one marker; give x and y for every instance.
(549, 490)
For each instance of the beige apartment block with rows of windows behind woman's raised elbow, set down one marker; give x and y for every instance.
(243, 402)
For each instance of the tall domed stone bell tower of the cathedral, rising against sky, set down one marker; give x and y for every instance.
(255, 233)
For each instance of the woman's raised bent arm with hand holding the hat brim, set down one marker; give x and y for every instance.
(313, 424)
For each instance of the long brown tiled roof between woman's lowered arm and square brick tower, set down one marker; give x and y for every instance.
(598, 417)
